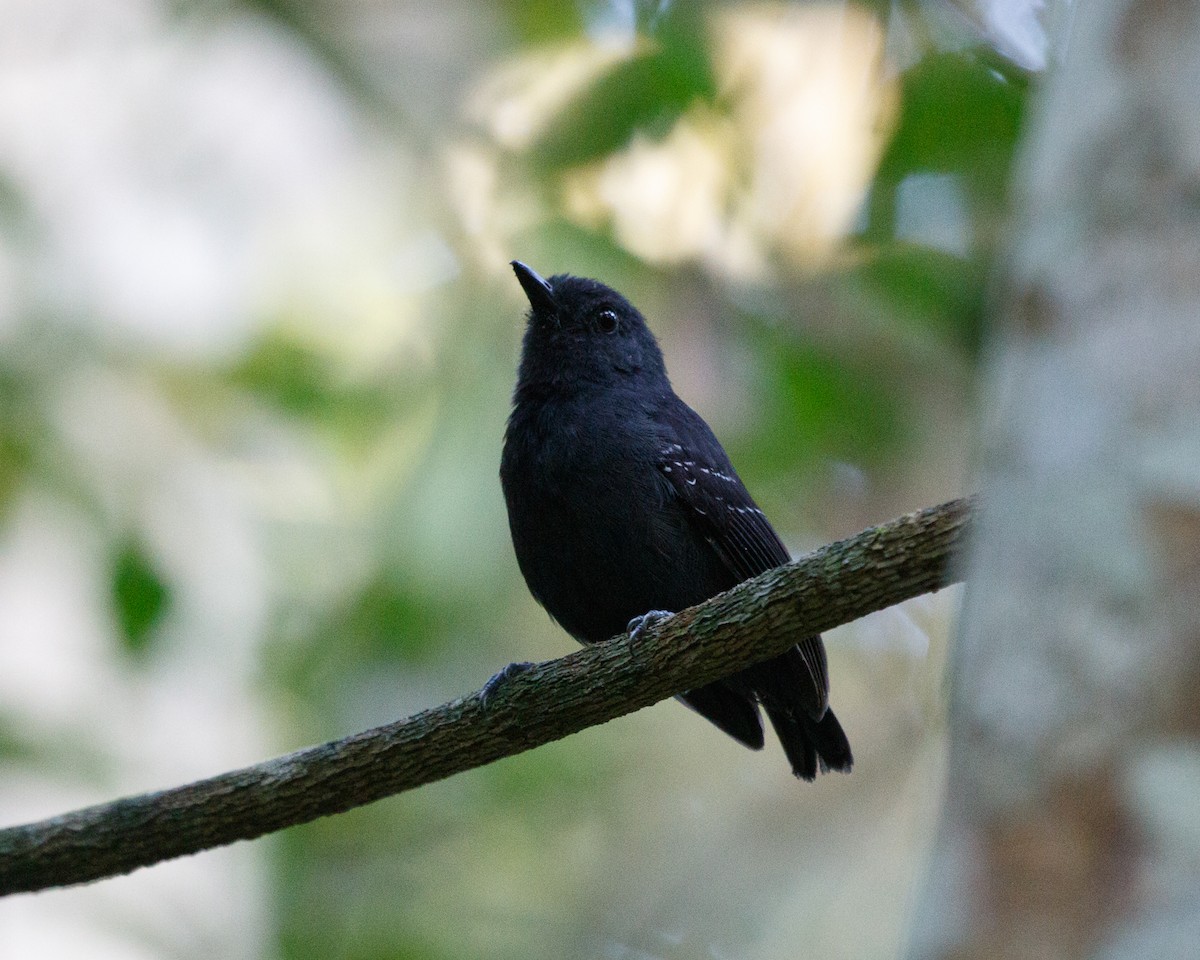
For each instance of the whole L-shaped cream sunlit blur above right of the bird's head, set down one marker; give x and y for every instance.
(782, 176)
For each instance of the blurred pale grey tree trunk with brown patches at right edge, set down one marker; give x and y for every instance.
(1072, 823)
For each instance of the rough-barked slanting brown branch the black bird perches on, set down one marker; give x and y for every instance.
(757, 621)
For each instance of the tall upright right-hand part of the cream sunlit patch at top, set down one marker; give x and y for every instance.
(814, 104)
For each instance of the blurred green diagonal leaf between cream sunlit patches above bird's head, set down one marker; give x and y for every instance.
(644, 95)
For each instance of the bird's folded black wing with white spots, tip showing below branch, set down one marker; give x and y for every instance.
(717, 502)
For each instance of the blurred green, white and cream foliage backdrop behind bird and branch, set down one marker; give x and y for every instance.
(257, 340)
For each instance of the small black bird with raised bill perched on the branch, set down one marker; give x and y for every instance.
(622, 502)
